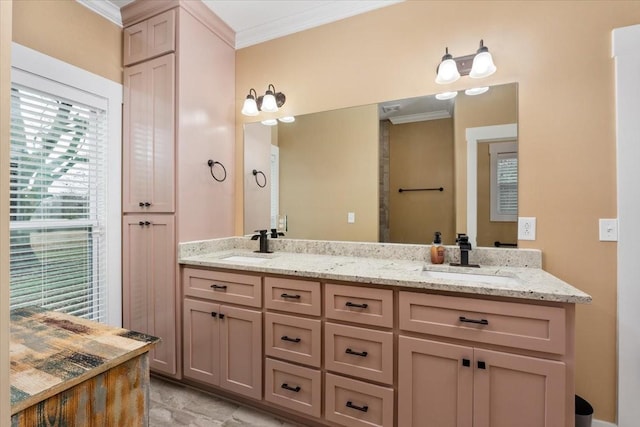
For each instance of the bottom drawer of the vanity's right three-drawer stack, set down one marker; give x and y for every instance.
(354, 403)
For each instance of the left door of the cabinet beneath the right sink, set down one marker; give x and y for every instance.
(435, 384)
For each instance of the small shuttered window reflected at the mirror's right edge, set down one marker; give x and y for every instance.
(504, 181)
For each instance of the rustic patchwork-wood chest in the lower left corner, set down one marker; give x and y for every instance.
(66, 370)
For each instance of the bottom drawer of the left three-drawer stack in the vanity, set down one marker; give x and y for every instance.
(293, 387)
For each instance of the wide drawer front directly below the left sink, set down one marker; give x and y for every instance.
(225, 287)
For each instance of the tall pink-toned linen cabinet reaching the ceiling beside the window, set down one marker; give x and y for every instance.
(178, 113)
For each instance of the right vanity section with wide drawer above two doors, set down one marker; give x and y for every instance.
(467, 384)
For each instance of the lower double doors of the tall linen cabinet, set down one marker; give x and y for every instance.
(148, 271)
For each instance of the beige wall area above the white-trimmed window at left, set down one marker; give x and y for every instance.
(66, 30)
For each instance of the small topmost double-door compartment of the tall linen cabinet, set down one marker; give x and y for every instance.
(150, 38)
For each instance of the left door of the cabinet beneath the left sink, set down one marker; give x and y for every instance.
(201, 337)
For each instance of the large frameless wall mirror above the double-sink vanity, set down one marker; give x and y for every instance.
(392, 172)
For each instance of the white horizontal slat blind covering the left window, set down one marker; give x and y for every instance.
(57, 201)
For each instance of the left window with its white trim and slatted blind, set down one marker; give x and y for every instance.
(61, 218)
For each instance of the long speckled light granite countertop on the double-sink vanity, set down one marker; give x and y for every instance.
(519, 281)
